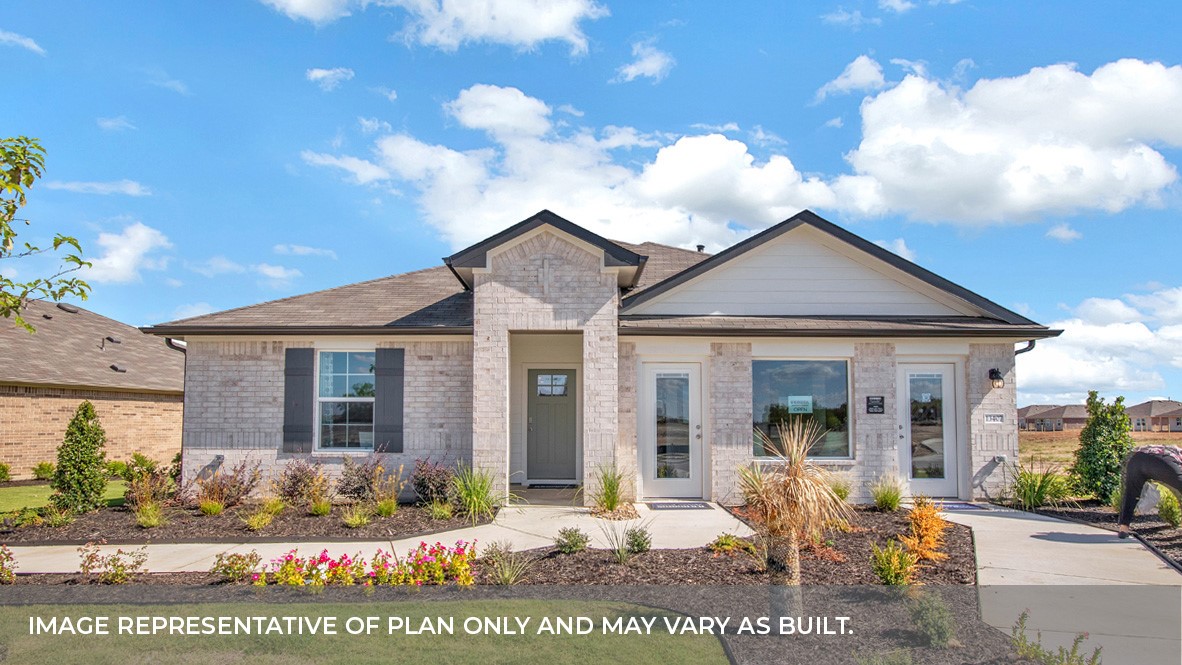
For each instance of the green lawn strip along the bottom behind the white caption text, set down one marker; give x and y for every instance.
(346, 649)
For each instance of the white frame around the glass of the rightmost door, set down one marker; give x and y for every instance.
(956, 449)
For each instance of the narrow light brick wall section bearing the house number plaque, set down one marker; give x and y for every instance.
(991, 440)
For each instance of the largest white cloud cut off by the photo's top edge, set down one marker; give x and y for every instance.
(523, 24)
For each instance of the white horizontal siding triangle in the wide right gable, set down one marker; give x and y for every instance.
(806, 273)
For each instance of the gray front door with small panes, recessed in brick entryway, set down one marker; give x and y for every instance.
(551, 426)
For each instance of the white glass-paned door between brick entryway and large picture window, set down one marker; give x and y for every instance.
(672, 432)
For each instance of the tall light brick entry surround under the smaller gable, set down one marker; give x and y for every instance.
(545, 284)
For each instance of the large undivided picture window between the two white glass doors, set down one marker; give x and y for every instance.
(820, 390)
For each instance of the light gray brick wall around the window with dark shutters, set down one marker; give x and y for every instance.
(236, 396)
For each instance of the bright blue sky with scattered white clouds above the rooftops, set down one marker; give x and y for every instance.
(217, 155)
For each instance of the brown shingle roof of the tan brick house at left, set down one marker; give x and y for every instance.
(76, 348)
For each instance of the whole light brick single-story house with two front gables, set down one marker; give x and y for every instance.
(547, 353)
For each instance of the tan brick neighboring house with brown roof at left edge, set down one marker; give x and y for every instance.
(134, 381)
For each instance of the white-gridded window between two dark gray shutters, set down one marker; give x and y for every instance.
(346, 400)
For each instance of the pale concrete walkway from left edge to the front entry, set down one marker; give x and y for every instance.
(525, 527)
